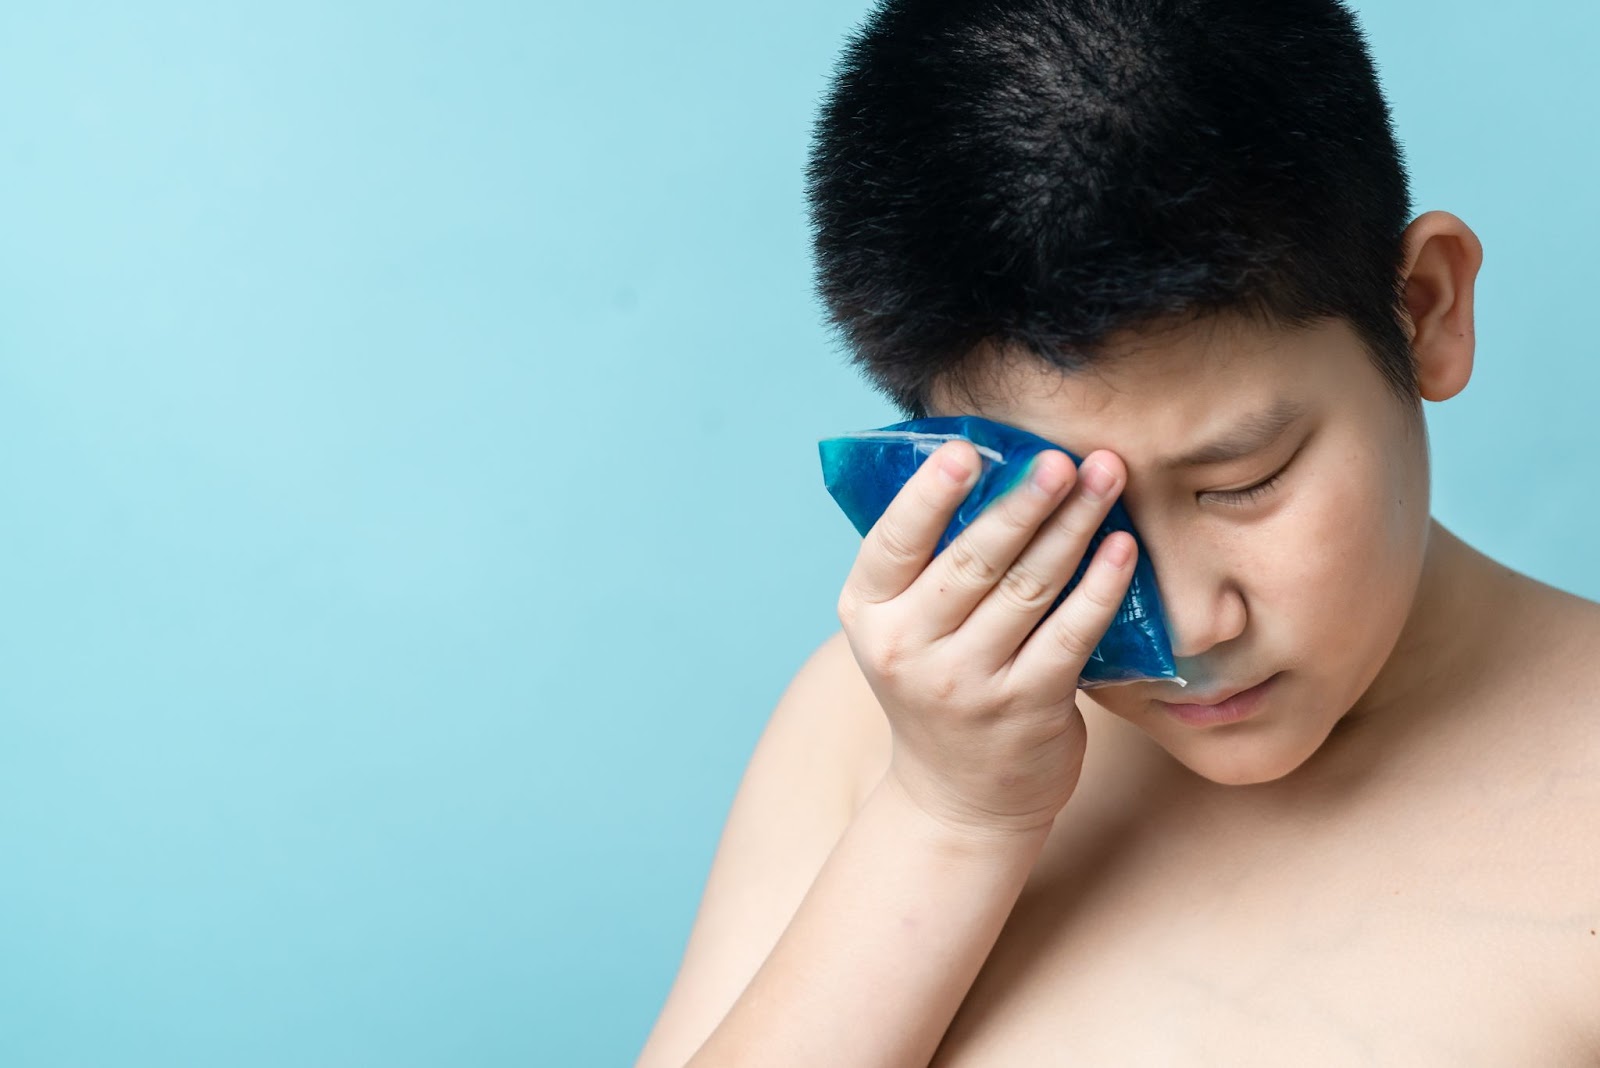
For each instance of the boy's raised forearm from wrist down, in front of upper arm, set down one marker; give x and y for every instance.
(882, 949)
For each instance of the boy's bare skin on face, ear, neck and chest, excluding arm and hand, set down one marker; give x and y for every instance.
(1394, 861)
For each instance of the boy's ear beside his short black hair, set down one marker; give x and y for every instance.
(1442, 260)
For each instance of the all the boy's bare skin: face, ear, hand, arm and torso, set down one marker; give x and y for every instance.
(943, 855)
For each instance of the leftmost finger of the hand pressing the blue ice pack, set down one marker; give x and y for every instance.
(902, 543)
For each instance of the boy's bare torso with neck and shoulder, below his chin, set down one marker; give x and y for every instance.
(1436, 907)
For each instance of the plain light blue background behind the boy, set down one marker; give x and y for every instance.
(410, 495)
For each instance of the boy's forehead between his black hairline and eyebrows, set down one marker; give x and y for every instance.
(1156, 394)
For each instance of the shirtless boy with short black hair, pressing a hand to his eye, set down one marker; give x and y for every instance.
(1175, 237)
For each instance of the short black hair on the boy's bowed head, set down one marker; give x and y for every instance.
(1046, 173)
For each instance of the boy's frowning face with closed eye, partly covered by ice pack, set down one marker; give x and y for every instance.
(1308, 583)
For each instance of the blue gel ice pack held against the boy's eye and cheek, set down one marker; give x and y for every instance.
(866, 471)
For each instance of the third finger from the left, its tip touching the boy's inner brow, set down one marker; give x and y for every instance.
(1015, 605)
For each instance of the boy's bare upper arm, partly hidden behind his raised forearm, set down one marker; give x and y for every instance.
(799, 794)
